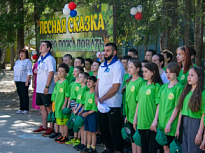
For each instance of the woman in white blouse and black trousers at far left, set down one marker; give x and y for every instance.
(22, 77)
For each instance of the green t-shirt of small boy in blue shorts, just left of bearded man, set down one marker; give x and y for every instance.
(90, 101)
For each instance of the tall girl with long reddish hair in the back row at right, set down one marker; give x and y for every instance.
(185, 63)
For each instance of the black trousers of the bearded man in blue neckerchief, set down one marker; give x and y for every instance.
(110, 125)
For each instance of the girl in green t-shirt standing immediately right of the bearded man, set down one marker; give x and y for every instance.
(133, 86)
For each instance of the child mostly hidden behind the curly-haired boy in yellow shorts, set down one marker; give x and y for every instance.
(56, 133)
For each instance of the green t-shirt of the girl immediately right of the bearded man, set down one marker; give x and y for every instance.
(132, 89)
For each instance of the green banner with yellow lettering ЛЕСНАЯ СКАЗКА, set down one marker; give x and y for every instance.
(82, 35)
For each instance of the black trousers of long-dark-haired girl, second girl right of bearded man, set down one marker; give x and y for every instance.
(148, 142)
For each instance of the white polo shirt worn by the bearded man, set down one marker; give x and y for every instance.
(113, 75)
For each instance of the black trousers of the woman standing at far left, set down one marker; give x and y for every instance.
(23, 95)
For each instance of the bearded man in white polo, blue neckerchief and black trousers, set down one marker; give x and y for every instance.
(108, 92)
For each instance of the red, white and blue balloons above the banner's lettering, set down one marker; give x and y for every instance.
(70, 9)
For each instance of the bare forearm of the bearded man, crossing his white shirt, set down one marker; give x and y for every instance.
(113, 90)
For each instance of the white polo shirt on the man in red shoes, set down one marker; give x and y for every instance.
(48, 65)
